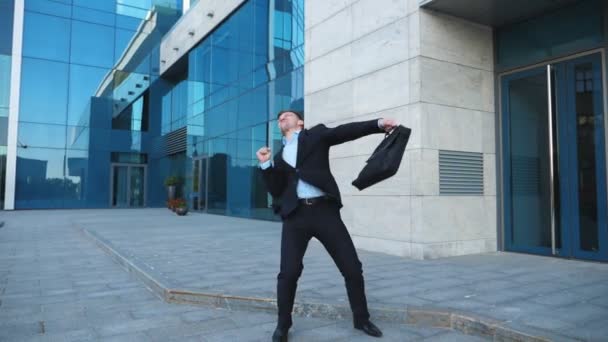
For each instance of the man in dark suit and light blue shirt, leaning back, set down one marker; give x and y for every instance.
(301, 181)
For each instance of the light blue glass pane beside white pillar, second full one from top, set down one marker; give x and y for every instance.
(44, 91)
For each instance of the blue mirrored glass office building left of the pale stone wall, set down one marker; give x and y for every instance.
(99, 127)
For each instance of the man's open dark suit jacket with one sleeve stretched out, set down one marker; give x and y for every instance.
(312, 163)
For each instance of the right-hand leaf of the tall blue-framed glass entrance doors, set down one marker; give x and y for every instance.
(585, 156)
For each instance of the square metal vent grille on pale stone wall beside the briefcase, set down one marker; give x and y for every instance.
(460, 173)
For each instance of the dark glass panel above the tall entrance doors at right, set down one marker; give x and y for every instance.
(568, 30)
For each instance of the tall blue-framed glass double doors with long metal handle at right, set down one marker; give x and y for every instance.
(554, 160)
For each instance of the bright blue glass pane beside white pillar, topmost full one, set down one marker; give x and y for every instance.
(46, 37)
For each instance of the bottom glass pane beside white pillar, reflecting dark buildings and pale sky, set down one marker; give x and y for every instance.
(40, 181)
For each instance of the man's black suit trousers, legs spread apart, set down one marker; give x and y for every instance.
(321, 220)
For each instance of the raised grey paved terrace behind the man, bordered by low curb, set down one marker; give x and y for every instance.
(216, 254)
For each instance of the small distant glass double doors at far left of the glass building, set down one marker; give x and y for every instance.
(128, 186)
